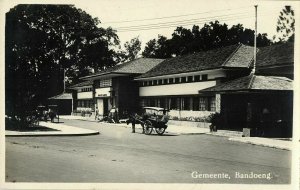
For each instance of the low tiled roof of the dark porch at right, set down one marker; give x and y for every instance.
(253, 82)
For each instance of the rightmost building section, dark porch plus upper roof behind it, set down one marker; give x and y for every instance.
(263, 100)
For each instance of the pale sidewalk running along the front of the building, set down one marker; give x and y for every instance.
(232, 135)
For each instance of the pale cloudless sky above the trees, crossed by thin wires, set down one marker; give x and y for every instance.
(147, 19)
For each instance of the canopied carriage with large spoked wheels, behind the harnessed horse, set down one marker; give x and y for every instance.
(155, 117)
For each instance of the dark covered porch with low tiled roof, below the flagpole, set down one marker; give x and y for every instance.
(263, 104)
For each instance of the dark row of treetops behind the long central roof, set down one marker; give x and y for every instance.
(210, 36)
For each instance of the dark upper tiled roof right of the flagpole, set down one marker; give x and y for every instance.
(280, 54)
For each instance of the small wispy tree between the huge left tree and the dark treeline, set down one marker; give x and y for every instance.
(132, 48)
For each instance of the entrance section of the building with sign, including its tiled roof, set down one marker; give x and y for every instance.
(116, 87)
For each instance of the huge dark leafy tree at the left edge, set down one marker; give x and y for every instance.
(43, 41)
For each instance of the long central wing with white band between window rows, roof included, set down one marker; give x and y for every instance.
(174, 84)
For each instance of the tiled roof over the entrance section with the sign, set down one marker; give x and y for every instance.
(137, 66)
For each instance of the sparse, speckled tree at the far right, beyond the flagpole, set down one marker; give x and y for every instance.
(286, 25)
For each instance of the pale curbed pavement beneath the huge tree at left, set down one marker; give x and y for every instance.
(58, 130)
